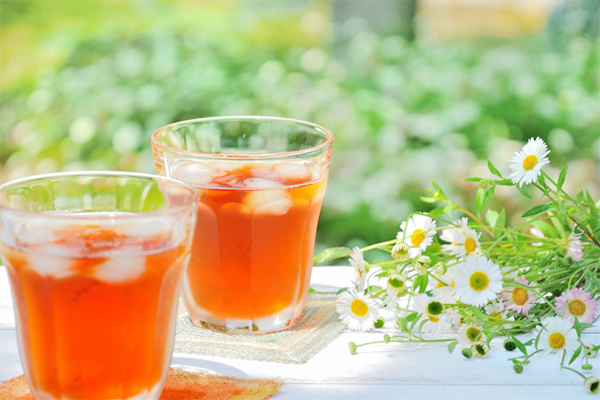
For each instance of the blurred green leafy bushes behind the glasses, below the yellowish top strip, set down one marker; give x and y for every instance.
(402, 112)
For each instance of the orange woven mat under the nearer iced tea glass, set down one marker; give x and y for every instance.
(181, 385)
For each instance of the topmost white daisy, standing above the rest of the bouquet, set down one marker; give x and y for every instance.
(527, 164)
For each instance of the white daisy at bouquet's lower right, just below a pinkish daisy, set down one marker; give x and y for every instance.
(557, 336)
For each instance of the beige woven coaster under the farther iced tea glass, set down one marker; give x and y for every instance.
(318, 326)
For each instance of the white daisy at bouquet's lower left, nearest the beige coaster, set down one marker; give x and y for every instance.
(356, 310)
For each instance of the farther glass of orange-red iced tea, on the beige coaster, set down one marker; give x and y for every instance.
(261, 182)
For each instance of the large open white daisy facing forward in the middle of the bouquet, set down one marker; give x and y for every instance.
(477, 281)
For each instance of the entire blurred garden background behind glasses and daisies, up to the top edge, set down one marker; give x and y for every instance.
(413, 90)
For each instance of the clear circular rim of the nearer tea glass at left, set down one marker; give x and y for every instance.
(92, 174)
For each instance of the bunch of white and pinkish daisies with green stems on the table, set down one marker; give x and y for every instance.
(469, 280)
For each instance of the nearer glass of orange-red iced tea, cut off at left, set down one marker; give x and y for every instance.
(95, 261)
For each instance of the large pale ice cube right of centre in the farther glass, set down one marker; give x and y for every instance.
(268, 199)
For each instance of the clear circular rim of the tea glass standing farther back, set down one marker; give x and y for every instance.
(311, 150)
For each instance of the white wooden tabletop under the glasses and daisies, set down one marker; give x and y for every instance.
(381, 371)
